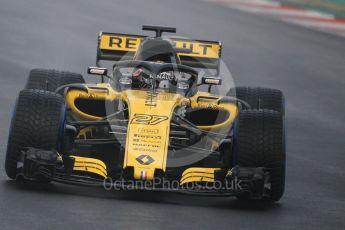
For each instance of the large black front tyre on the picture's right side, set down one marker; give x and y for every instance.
(260, 142)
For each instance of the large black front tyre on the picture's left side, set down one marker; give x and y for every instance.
(38, 122)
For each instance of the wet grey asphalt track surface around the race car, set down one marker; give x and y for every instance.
(308, 66)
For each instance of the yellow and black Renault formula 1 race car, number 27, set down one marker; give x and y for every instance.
(153, 122)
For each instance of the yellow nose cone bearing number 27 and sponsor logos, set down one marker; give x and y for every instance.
(148, 131)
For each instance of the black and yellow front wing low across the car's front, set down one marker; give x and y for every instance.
(194, 180)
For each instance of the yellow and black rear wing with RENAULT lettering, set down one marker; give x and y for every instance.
(115, 47)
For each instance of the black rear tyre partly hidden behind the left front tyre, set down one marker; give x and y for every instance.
(50, 80)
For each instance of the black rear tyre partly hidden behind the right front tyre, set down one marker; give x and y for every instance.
(260, 98)
